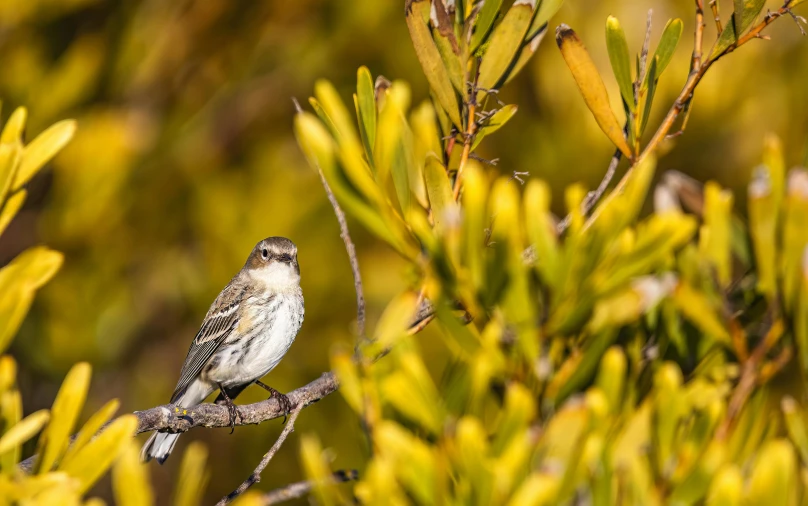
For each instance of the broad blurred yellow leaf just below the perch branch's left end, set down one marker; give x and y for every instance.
(92, 461)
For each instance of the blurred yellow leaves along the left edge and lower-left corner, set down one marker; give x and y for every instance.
(63, 471)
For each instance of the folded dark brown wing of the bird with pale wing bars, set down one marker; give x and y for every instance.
(219, 323)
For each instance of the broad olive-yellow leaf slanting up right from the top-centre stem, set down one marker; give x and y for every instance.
(505, 42)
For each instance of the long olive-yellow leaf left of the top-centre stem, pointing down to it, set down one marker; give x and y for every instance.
(431, 62)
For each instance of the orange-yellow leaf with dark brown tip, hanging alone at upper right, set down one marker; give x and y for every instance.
(591, 86)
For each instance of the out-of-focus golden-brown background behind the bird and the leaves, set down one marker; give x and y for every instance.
(185, 158)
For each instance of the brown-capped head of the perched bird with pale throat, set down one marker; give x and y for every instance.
(273, 263)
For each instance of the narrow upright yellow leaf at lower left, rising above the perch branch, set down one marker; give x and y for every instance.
(64, 413)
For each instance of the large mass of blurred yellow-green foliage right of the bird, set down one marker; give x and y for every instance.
(627, 361)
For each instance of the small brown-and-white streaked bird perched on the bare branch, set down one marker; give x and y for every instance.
(247, 331)
